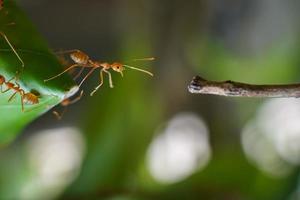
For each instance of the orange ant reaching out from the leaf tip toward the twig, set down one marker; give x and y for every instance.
(81, 59)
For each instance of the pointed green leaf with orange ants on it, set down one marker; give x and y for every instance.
(40, 63)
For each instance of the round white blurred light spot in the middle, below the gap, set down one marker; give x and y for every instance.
(179, 150)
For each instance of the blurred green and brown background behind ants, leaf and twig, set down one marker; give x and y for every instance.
(148, 138)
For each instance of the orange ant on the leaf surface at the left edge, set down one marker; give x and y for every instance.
(27, 98)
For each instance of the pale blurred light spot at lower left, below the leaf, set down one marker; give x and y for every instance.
(55, 158)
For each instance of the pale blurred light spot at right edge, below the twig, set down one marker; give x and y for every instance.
(272, 139)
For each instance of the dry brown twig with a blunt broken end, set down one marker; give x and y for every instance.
(230, 88)
